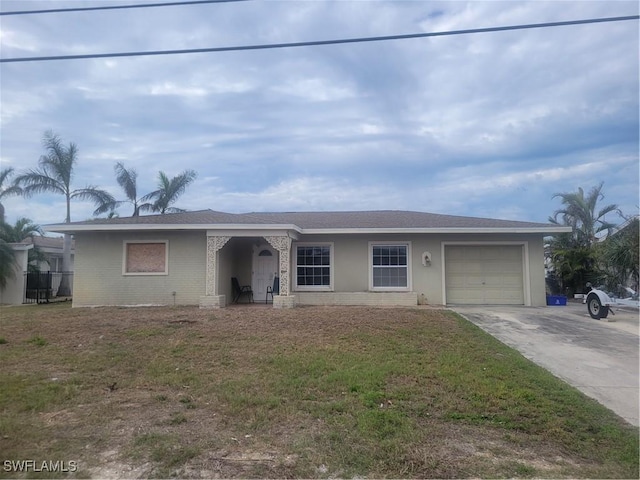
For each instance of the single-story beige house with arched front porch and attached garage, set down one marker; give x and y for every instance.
(321, 258)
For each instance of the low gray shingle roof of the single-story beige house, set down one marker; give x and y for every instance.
(379, 219)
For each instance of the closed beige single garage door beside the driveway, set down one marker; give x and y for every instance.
(484, 274)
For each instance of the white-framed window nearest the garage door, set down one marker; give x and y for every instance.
(389, 266)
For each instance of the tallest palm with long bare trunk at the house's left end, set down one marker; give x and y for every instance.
(54, 175)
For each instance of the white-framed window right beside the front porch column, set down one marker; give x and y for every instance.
(314, 266)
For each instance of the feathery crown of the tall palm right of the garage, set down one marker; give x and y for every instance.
(580, 213)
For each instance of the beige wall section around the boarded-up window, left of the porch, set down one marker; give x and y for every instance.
(99, 279)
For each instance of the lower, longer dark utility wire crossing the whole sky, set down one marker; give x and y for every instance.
(318, 42)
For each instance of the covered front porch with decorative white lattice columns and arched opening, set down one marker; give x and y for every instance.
(252, 257)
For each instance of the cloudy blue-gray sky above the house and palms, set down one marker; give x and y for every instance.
(488, 125)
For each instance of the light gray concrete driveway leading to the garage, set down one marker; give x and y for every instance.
(598, 357)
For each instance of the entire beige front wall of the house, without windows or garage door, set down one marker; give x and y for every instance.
(99, 279)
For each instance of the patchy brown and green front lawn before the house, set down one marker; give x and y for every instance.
(308, 392)
